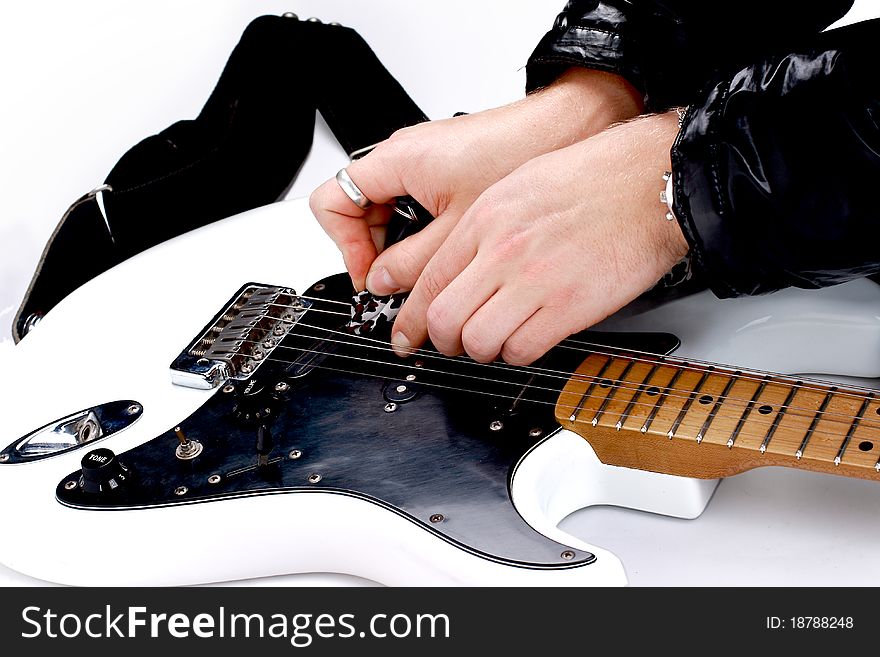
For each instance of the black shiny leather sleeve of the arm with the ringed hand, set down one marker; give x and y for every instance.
(668, 49)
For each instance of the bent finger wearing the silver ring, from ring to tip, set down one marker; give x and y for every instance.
(349, 227)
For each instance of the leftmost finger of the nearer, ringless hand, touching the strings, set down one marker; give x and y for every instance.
(410, 329)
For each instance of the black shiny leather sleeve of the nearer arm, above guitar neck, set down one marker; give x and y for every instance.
(776, 169)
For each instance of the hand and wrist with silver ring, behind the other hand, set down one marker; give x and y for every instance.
(445, 165)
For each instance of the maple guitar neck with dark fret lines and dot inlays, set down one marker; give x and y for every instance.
(699, 420)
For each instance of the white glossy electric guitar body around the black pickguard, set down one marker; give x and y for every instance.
(114, 338)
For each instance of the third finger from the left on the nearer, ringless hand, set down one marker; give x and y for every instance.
(485, 332)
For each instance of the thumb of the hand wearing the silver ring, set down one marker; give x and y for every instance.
(398, 267)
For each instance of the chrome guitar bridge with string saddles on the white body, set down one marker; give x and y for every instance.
(240, 337)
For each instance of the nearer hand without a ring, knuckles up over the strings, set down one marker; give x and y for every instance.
(556, 246)
